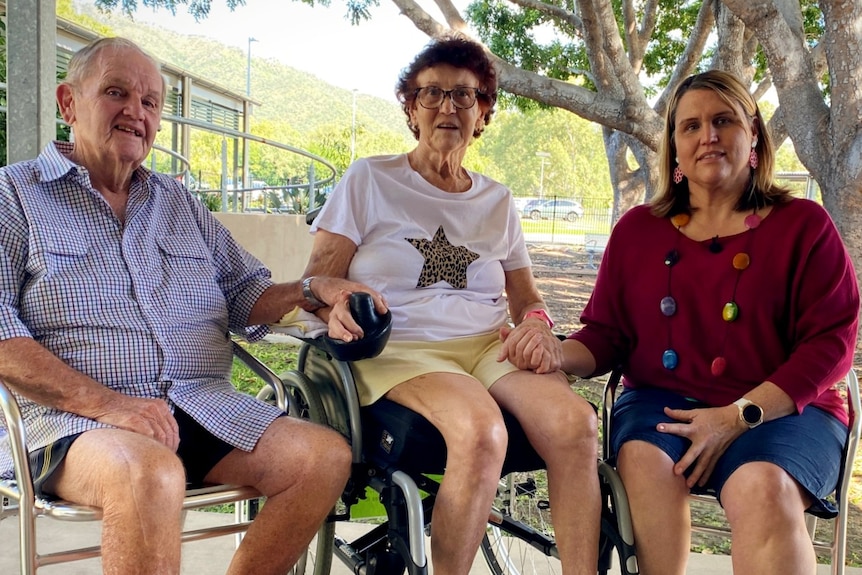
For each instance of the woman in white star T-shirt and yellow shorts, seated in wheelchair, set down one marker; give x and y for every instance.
(445, 248)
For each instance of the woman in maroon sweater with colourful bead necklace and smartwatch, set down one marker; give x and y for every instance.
(742, 319)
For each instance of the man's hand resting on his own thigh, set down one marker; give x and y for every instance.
(150, 417)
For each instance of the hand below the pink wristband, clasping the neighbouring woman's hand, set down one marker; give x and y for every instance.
(531, 345)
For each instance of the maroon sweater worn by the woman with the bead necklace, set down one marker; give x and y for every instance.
(798, 308)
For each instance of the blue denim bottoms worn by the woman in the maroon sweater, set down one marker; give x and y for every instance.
(808, 446)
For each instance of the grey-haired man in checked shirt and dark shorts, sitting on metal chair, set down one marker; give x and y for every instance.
(117, 293)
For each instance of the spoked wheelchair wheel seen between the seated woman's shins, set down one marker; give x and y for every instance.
(522, 497)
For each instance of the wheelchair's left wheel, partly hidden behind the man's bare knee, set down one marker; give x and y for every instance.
(304, 403)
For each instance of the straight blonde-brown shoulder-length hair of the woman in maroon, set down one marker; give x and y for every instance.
(673, 198)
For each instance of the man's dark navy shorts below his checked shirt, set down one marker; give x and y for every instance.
(199, 451)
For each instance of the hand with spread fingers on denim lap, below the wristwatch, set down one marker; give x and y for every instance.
(710, 430)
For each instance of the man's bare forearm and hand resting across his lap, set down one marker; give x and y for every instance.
(37, 374)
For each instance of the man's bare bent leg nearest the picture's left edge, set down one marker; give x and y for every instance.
(140, 484)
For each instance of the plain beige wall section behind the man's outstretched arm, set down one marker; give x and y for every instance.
(280, 241)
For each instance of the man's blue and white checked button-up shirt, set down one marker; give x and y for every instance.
(143, 307)
